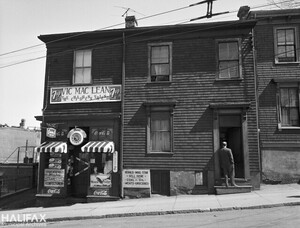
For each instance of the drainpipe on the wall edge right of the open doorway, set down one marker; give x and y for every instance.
(256, 102)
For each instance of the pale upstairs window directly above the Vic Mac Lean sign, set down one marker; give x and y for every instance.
(82, 67)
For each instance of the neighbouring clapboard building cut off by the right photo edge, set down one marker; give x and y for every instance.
(277, 46)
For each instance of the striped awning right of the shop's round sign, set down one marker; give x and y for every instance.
(99, 146)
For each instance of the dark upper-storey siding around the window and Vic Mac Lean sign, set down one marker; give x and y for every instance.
(106, 70)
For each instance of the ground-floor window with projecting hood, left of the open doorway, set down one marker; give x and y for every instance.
(160, 129)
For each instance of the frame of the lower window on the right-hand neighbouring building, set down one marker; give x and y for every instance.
(281, 85)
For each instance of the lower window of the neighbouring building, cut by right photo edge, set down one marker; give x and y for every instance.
(288, 105)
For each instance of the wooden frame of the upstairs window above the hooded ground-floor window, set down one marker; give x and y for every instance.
(150, 45)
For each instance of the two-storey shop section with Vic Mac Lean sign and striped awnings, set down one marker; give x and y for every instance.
(81, 116)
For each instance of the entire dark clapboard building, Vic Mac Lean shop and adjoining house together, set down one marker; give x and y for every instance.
(142, 110)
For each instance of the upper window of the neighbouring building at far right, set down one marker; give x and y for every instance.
(285, 45)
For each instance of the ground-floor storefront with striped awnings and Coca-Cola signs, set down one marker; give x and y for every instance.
(85, 164)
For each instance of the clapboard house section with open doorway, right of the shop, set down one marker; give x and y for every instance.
(187, 87)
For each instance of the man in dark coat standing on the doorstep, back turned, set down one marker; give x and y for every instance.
(227, 163)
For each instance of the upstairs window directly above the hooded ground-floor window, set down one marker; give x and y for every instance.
(160, 62)
